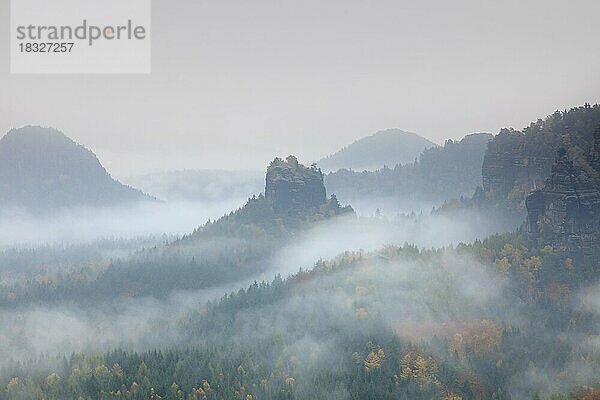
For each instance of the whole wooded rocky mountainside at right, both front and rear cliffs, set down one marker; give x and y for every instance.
(547, 173)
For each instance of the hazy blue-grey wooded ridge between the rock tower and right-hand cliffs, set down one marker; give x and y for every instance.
(440, 173)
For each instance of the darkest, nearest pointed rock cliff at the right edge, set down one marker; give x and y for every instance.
(565, 214)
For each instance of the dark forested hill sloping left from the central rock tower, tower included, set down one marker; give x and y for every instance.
(233, 248)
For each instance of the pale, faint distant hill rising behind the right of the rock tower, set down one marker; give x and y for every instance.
(388, 147)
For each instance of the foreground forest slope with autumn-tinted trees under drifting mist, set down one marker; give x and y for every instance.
(397, 323)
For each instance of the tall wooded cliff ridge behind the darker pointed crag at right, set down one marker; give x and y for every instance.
(517, 163)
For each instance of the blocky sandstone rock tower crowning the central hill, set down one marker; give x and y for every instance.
(293, 189)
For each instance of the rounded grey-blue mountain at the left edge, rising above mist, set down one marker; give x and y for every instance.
(43, 170)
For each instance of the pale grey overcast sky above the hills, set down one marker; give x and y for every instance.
(235, 83)
